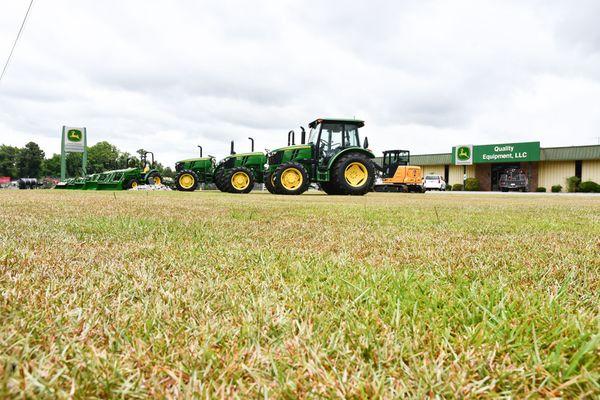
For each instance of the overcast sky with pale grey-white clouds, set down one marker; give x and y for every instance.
(424, 75)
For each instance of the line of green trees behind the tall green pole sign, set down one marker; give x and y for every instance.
(31, 162)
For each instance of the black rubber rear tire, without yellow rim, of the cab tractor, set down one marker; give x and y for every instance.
(340, 183)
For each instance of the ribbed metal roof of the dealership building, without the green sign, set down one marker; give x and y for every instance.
(566, 153)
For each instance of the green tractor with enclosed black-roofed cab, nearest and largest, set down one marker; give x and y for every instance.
(333, 158)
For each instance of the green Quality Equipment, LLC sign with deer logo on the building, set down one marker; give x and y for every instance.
(496, 153)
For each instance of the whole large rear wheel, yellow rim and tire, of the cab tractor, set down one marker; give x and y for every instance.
(353, 174)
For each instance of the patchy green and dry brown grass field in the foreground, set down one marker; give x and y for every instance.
(135, 294)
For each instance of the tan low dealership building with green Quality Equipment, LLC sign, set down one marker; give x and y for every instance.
(544, 167)
